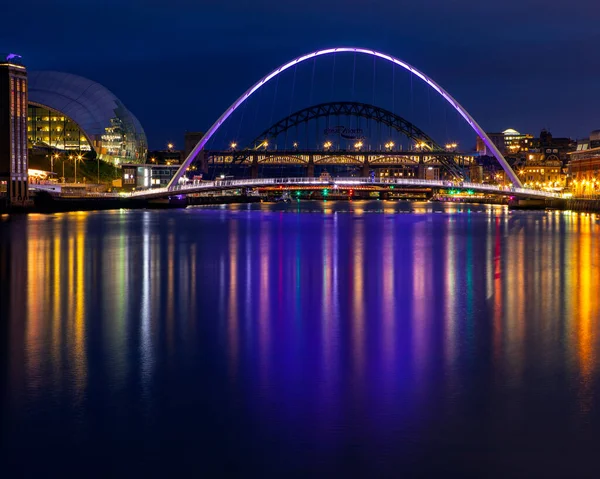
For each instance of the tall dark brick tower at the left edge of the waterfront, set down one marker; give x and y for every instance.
(13, 130)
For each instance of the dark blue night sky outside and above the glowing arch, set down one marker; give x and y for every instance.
(526, 64)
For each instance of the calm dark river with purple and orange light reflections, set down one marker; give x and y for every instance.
(372, 339)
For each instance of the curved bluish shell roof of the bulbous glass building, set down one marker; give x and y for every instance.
(113, 129)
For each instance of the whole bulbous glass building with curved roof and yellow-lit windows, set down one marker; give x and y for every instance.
(69, 113)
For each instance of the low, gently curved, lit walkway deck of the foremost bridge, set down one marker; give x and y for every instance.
(228, 184)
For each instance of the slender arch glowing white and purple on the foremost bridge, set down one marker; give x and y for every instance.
(330, 51)
